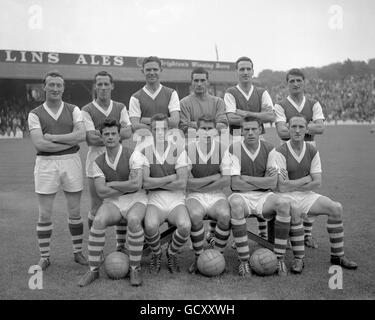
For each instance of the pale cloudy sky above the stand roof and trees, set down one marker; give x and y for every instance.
(277, 35)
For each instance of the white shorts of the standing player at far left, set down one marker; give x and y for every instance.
(51, 171)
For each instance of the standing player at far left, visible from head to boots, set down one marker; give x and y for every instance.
(56, 129)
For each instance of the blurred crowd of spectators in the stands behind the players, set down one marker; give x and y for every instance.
(350, 99)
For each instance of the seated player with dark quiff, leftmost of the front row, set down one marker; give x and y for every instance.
(118, 181)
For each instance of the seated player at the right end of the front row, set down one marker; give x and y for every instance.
(300, 174)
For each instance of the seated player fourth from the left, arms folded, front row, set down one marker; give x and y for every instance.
(252, 181)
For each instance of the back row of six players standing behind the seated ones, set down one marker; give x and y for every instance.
(56, 128)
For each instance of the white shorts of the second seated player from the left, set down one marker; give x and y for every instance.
(166, 201)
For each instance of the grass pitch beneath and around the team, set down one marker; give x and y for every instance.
(348, 161)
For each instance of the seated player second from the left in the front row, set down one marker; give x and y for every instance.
(165, 176)
